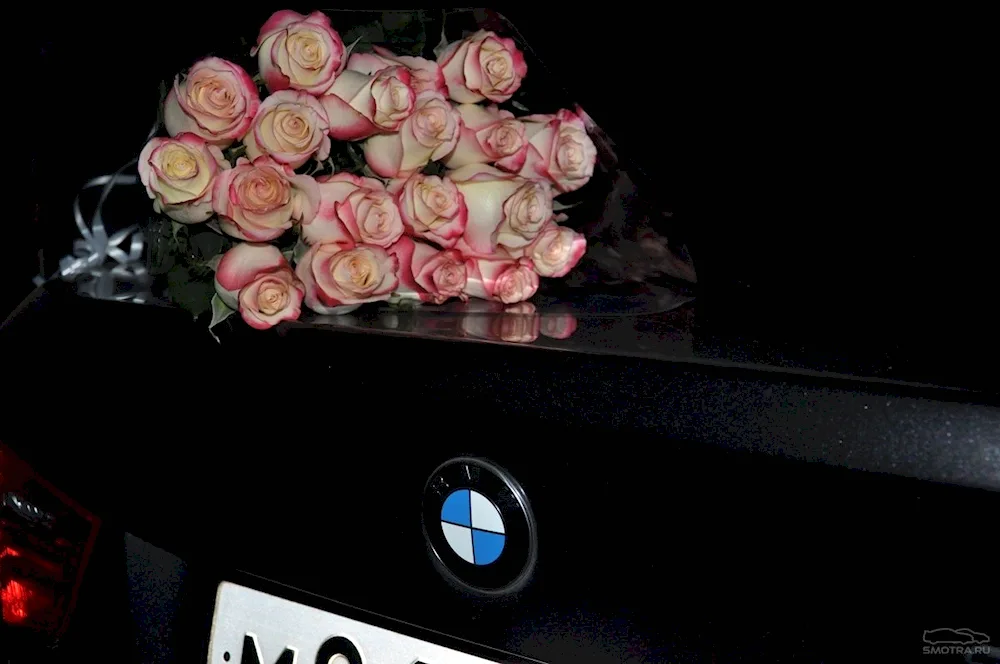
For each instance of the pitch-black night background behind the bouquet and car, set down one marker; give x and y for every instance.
(829, 170)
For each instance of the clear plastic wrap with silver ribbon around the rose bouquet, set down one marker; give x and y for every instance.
(636, 265)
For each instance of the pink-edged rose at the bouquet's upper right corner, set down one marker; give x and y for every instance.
(482, 66)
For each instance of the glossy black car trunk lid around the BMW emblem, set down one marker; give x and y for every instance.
(686, 527)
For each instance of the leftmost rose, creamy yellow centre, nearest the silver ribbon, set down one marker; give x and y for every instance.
(178, 174)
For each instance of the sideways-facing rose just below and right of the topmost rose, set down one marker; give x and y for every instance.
(360, 106)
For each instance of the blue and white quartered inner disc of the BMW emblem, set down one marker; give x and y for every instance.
(473, 527)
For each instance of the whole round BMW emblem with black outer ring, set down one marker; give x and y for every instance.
(479, 525)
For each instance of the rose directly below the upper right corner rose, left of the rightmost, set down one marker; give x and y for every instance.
(489, 136)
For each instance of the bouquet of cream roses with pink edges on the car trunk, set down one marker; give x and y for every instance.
(450, 195)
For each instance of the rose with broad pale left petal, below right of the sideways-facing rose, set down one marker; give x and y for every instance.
(427, 135)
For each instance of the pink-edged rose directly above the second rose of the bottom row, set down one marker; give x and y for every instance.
(356, 209)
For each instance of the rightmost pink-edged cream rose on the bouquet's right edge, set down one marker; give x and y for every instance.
(560, 150)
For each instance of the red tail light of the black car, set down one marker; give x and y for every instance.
(45, 541)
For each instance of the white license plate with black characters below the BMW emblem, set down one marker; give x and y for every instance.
(251, 627)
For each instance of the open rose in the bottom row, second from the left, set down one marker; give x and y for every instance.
(341, 276)
